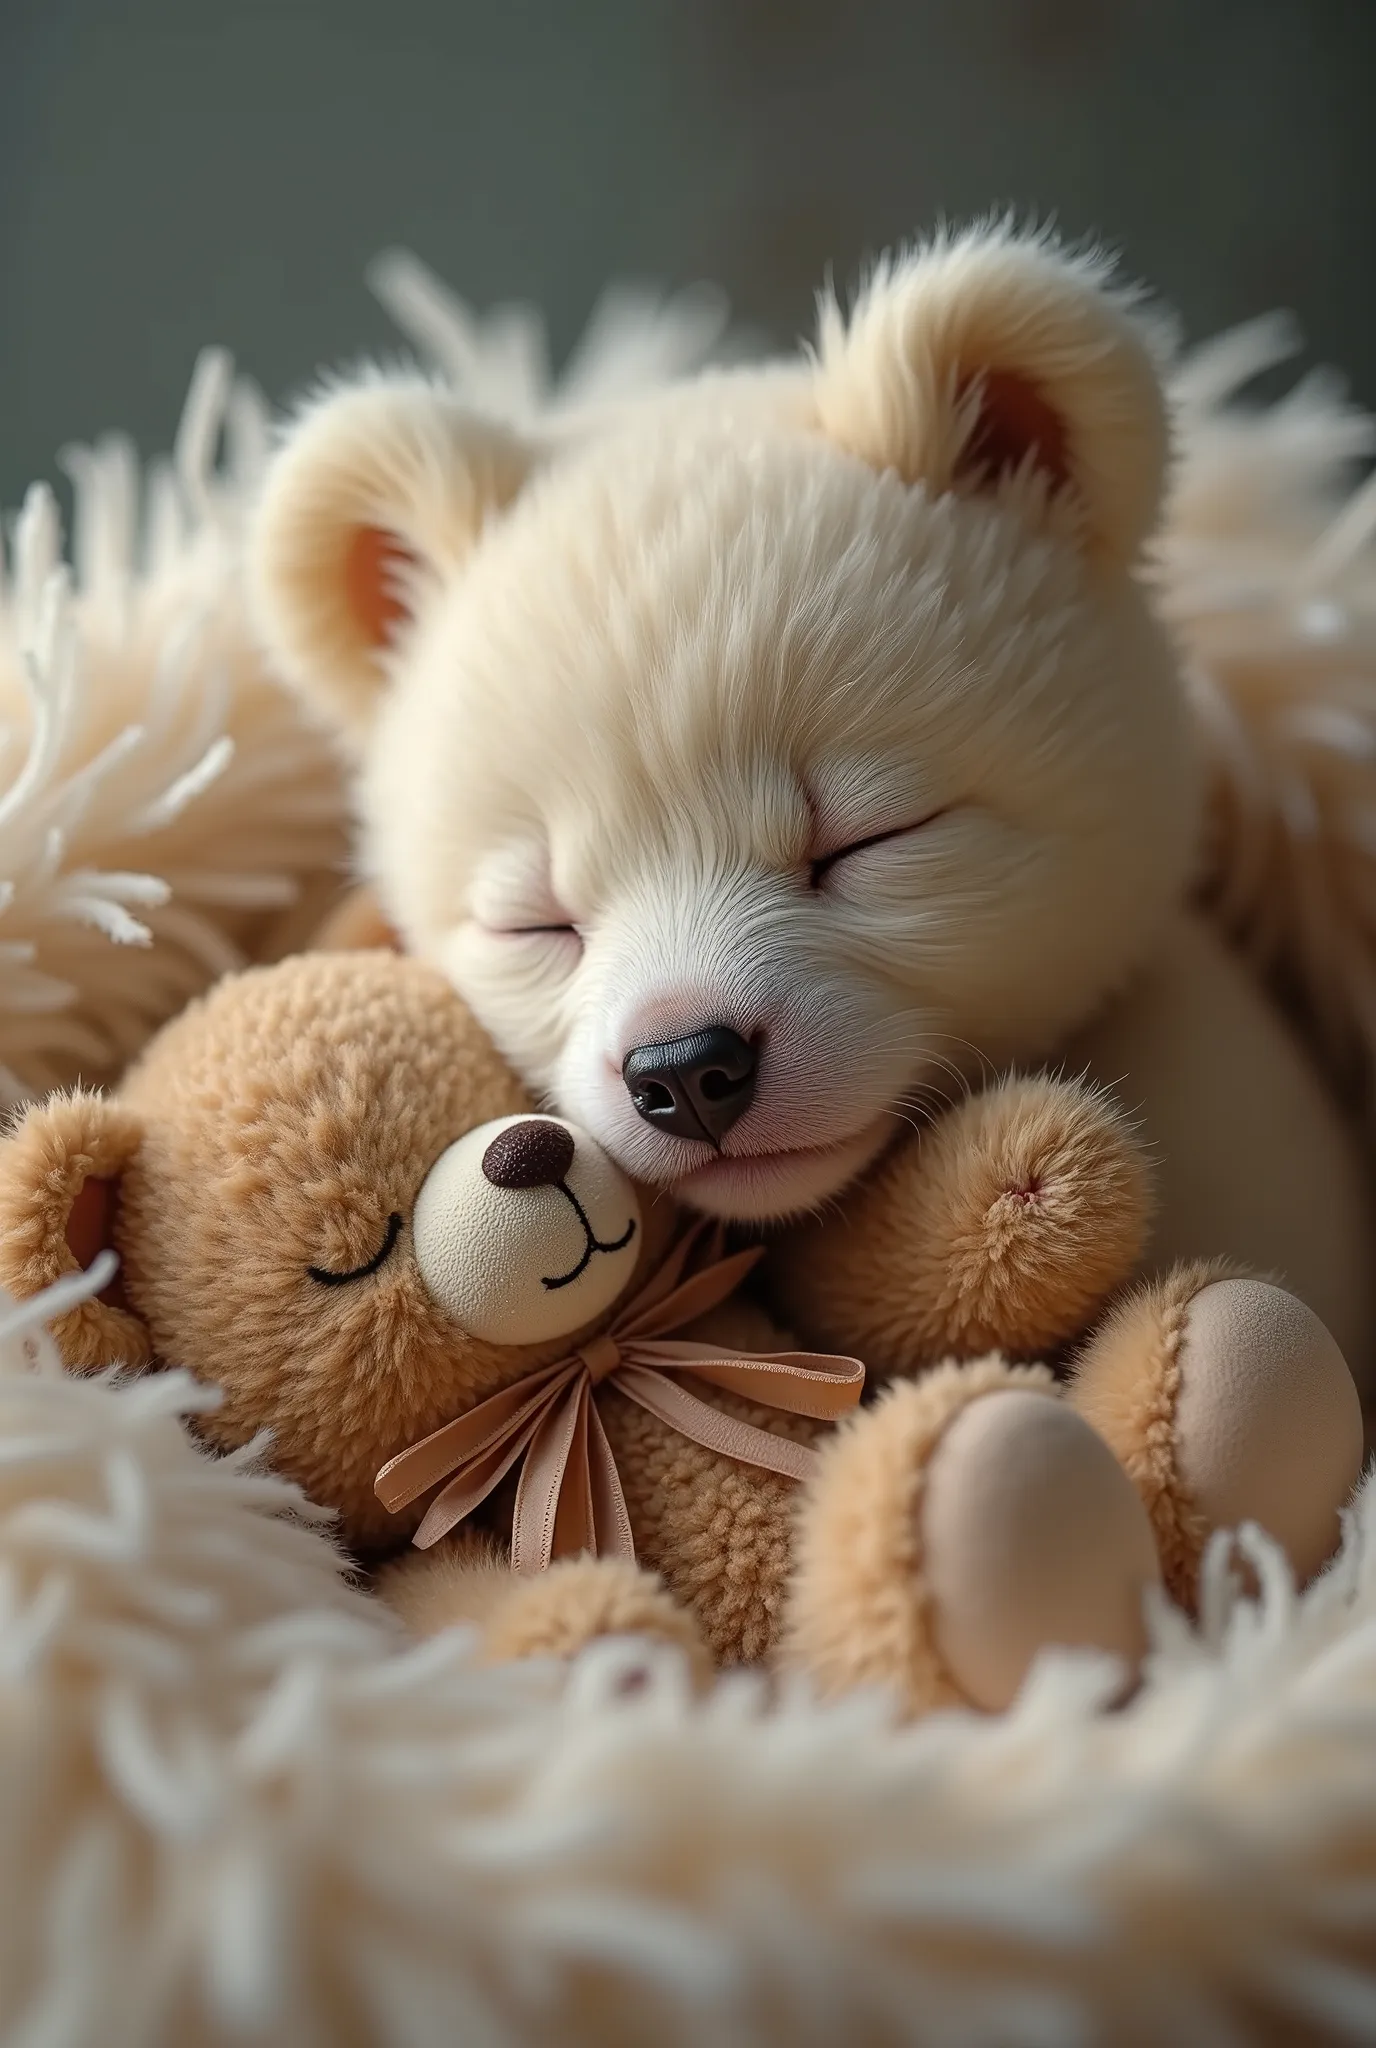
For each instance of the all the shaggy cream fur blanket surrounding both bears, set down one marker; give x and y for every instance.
(236, 1807)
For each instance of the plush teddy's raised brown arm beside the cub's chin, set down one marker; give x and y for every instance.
(1000, 1228)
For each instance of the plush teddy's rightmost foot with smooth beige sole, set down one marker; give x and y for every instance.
(1228, 1402)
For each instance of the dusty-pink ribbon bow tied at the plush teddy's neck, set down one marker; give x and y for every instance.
(568, 1496)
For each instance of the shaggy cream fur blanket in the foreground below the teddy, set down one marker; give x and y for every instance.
(234, 1809)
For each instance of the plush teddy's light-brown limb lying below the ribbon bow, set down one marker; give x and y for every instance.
(544, 1615)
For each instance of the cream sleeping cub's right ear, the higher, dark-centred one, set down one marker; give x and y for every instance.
(996, 355)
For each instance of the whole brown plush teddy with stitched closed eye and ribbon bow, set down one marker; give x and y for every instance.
(544, 1404)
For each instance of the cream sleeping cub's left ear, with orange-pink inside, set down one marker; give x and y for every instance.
(378, 490)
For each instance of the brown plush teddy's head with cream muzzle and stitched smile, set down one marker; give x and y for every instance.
(333, 1199)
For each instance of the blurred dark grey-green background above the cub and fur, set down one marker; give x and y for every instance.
(187, 171)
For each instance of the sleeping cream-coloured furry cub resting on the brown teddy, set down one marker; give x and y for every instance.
(767, 755)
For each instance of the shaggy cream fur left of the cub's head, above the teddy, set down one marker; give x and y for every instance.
(163, 802)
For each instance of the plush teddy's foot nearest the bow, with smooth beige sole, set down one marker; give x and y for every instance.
(953, 1531)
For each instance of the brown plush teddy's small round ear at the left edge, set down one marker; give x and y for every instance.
(60, 1175)
